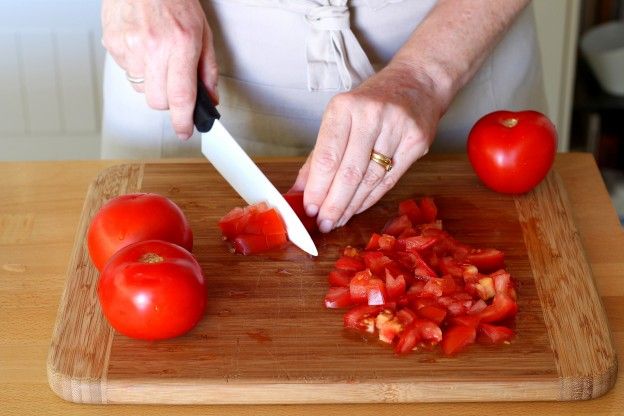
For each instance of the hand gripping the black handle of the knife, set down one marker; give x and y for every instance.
(168, 44)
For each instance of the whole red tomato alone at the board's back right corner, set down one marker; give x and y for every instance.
(511, 152)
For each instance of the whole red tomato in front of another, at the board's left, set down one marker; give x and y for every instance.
(152, 290)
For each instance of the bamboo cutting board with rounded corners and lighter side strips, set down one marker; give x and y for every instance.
(267, 338)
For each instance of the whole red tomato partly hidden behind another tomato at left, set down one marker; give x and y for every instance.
(129, 218)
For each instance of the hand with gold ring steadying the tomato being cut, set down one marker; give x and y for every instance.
(394, 113)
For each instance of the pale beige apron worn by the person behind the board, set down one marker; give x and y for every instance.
(281, 61)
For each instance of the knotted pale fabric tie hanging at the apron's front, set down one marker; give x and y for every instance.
(334, 56)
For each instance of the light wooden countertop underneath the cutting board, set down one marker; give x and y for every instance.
(39, 210)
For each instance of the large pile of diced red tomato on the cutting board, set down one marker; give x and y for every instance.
(415, 286)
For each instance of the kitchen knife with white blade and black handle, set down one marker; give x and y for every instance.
(241, 172)
